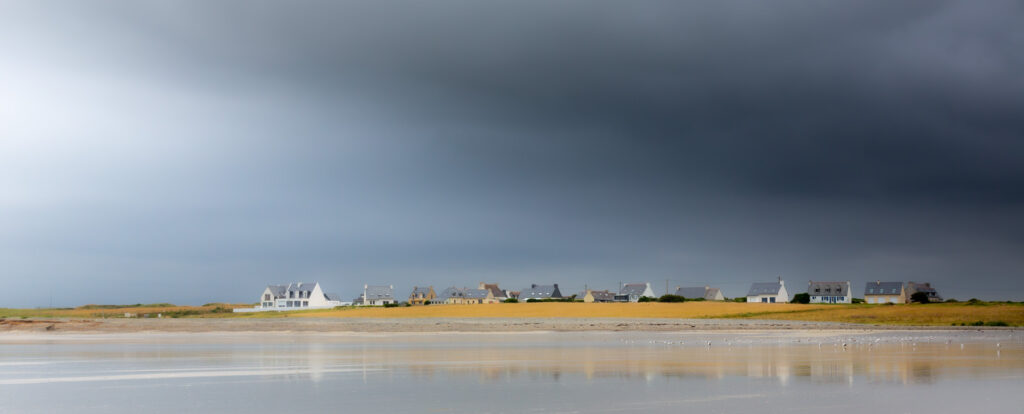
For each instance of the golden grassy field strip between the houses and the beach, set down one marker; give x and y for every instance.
(907, 315)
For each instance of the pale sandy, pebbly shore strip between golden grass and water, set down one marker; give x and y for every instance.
(438, 325)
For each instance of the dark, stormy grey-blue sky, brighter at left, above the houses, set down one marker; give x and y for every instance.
(196, 151)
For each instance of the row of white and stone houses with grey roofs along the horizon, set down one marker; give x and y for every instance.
(310, 296)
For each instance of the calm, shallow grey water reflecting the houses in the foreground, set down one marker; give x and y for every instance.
(528, 372)
